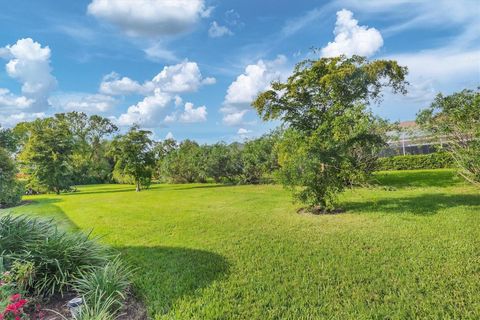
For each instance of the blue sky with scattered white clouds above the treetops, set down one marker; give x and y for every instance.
(189, 68)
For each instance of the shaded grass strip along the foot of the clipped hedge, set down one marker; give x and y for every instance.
(416, 178)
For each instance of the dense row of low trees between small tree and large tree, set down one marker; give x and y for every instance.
(251, 162)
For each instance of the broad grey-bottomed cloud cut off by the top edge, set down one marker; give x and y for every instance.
(150, 18)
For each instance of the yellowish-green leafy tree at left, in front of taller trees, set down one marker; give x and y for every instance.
(47, 154)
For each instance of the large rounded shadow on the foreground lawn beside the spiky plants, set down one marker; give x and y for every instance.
(166, 274)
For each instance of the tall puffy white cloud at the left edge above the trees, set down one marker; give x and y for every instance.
(29, 64)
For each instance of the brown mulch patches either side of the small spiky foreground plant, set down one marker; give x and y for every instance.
(133, 308)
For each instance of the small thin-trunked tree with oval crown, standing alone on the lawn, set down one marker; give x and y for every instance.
(134, 156)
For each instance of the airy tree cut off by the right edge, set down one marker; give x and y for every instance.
(455, 121)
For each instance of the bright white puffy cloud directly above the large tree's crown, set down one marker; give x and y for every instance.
(351, 39)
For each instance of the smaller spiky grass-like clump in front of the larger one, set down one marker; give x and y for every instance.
(111, 280)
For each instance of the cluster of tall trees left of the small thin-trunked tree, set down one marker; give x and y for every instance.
(64, 150)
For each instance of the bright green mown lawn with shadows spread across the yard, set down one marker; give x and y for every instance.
(409, 248)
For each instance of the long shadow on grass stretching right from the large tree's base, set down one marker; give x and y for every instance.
(423, 204)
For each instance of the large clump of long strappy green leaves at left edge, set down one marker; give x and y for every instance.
(57, 257)
